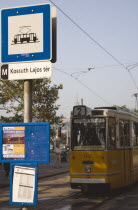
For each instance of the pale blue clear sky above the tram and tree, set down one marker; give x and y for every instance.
(113, 25)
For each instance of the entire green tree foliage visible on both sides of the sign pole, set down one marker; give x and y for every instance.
(44, 98)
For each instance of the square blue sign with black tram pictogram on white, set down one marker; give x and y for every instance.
(26, 33)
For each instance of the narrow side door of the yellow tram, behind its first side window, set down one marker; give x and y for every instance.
(124, 128)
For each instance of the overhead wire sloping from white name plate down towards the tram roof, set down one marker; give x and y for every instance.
(83, 85)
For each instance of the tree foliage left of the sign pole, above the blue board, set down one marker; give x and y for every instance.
(11, 100)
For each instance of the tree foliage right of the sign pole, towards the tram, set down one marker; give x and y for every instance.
(44, 101)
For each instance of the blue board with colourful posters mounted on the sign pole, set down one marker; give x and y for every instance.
(25, 142)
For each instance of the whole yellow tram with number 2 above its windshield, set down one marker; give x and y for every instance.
(104, 148)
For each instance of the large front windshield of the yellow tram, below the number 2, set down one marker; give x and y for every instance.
(88, 134)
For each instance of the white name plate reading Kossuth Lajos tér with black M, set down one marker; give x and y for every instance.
(22, 71)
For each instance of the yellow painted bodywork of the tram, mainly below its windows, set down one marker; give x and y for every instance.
(112, 169)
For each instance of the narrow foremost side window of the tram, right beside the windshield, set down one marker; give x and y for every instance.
(112, 133)
